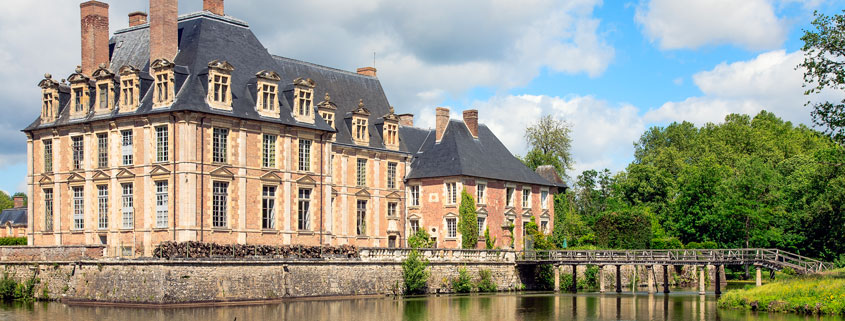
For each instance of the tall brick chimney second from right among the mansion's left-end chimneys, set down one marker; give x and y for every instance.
(163, 29)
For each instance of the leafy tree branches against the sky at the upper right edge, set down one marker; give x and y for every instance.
(824, 69)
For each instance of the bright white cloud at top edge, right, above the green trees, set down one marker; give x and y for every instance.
(690, 24)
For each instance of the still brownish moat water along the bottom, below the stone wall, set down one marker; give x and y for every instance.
(506, 306)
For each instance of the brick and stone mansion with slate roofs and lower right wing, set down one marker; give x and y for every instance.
(186, 128)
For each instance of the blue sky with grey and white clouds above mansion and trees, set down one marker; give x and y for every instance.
(609, 69)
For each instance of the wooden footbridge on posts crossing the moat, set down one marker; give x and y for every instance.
(772, 259)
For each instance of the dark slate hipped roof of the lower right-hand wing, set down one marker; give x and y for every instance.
(458, 153)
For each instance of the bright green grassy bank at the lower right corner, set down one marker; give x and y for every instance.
(813, 294)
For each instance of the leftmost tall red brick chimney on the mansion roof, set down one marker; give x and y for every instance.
(95, 35)
